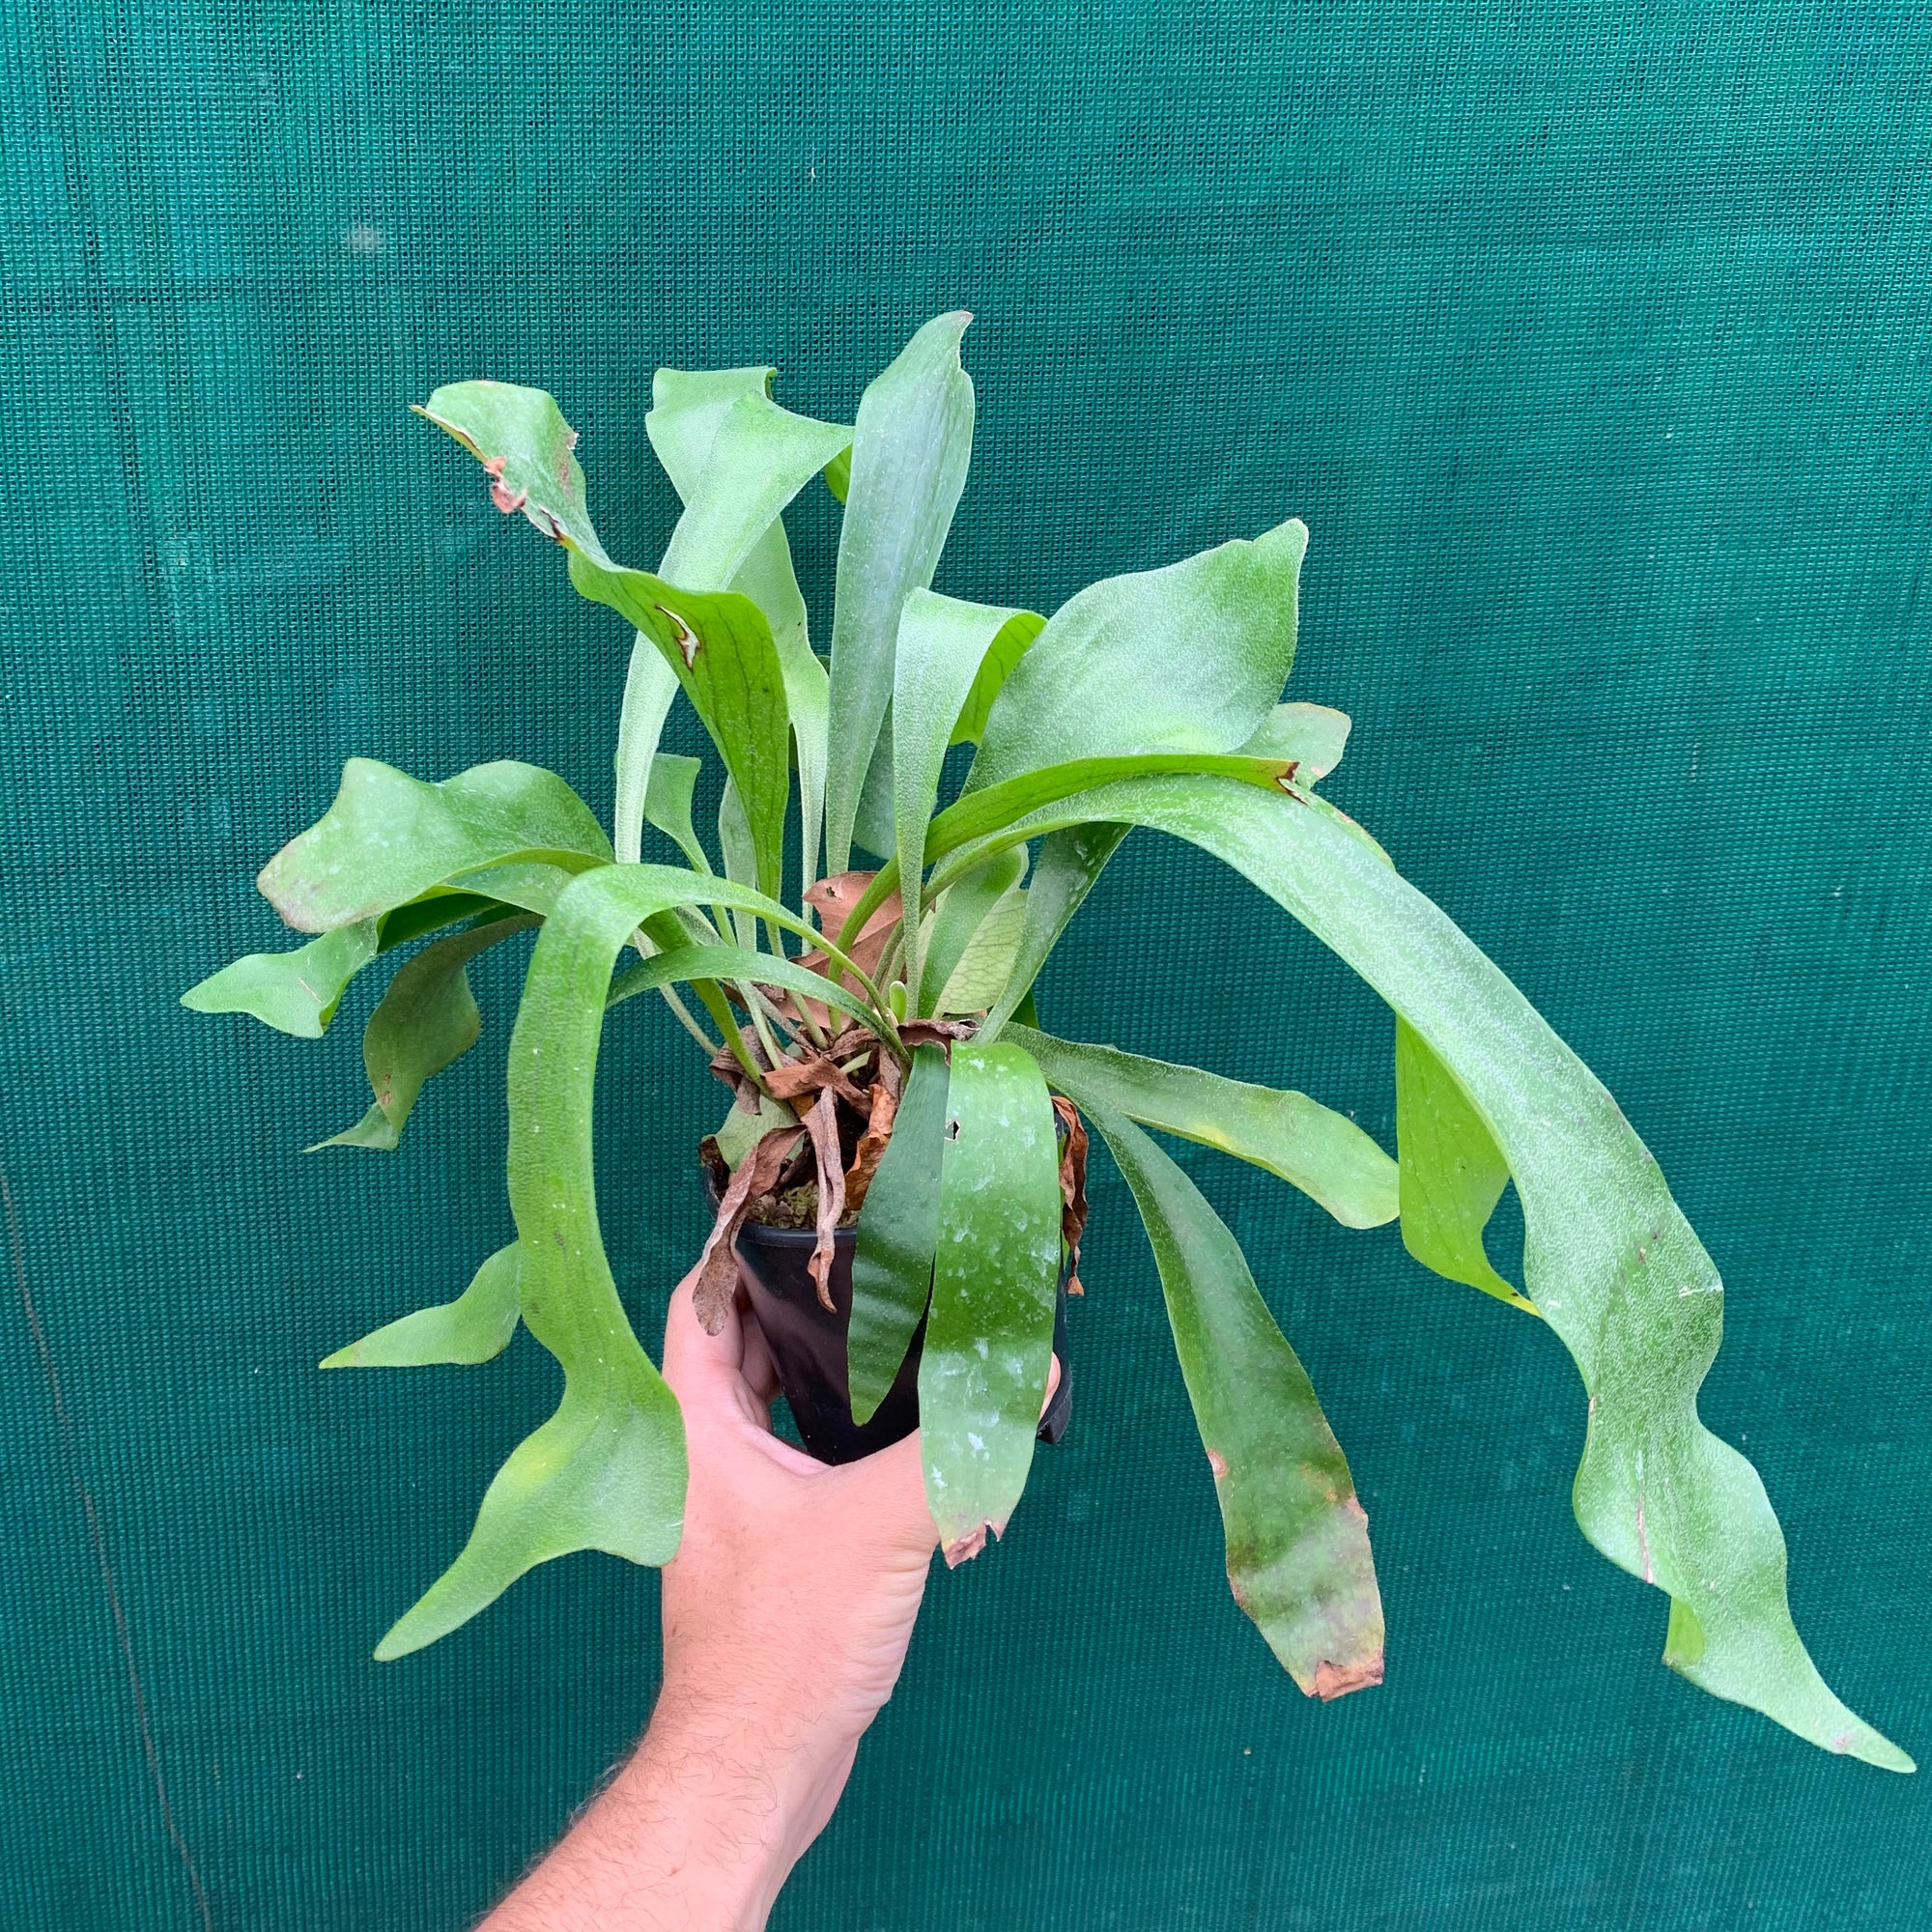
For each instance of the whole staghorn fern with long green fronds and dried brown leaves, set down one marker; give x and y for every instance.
(888, 1062)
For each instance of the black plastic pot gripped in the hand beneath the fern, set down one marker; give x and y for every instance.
(809, 1348)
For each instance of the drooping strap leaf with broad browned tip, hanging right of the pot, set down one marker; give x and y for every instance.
(1297, 1539)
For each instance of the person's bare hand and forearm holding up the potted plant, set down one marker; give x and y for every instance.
(787, 1616)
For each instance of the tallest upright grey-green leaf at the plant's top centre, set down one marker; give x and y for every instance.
(911, 447)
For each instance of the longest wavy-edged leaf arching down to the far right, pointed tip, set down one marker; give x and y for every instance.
(1610, 1261)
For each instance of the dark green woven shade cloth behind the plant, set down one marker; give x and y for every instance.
(1591, 341)
